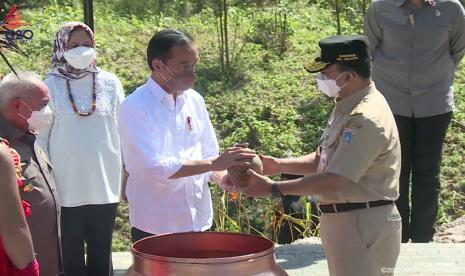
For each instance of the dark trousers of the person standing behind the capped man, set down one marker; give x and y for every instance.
(421, 143)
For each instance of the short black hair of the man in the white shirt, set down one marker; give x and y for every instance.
(161, 43)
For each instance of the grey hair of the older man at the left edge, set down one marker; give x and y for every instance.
(19, 86)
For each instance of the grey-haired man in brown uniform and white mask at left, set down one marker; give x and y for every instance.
(22, 105)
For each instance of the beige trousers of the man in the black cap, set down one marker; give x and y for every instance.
(364, 242)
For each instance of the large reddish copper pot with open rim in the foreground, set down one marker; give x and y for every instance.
(204, 253)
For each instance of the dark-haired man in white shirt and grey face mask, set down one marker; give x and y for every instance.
(169, 146)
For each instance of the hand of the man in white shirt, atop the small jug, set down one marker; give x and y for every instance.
(231, 157)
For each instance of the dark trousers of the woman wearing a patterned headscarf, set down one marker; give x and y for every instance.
(91, 225)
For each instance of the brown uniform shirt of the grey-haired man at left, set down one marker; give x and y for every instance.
(40, 192)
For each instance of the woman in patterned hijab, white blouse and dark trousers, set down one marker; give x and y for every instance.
(84, 147)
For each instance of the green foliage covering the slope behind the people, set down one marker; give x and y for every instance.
(267, 99)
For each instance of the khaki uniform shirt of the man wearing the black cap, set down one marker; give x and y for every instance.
(361, 143)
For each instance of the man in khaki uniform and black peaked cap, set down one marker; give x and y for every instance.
(354, 174)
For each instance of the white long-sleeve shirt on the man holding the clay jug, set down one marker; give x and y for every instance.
(157, 135)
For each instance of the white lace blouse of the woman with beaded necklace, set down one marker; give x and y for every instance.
(85, 151)
